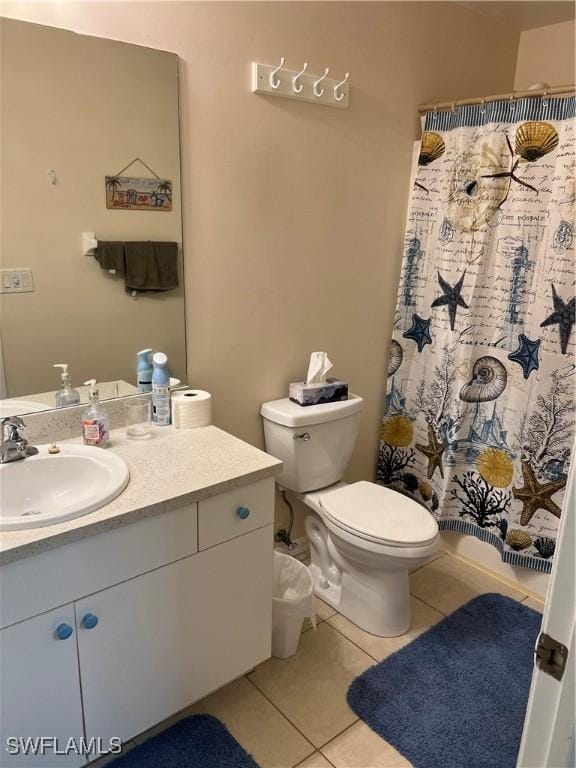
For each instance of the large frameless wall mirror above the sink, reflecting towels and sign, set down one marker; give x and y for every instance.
(76, 112)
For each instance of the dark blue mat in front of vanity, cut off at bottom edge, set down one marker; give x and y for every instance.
(200, 741)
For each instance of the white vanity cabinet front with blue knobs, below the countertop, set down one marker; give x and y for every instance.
(149, 634)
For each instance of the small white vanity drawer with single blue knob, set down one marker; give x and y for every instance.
(231, 514)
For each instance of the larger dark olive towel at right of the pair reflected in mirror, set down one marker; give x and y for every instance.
(151, 266)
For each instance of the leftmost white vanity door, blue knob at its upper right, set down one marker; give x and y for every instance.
(40, 689)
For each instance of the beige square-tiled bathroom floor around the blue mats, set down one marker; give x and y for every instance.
(293, 712)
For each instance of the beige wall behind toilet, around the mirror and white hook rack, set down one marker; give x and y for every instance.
(294, 213)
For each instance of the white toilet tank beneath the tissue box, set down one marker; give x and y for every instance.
(315, 442)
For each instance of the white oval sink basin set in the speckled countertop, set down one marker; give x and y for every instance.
(47, 489)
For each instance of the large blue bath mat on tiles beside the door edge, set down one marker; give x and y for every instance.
(456, 696)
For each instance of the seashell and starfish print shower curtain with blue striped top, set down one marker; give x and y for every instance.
(479, 416)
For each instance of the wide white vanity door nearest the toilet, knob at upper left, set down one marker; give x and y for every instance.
(155, 644)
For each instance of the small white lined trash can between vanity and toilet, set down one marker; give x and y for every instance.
(292, 602)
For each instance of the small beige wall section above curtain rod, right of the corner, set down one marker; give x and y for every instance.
(546, 55)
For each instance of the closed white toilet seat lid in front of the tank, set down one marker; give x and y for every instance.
(379, 515)
